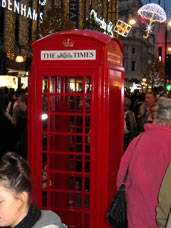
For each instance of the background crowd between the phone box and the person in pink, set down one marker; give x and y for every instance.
(139, 108)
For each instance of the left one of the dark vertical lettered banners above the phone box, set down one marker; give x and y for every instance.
(74, 12)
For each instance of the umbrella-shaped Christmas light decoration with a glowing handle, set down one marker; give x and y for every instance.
(154, 13)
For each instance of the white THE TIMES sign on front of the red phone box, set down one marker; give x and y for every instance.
(69, 55)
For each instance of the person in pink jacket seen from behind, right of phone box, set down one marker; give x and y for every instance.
(147, 157)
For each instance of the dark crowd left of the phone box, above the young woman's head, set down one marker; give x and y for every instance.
(13, 121)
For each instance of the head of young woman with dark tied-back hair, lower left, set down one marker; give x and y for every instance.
(15, 189)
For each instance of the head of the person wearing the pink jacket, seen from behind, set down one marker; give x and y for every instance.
(164, 112)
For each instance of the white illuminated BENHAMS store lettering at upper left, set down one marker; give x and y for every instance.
(22, 9)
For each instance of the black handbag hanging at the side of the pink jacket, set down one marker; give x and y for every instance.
(117, 213)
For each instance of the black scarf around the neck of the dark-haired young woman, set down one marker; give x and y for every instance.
(31, 218)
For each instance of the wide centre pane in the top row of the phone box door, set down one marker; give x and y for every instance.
(66, 84)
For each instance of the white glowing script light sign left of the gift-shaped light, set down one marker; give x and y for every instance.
(102, 23)
